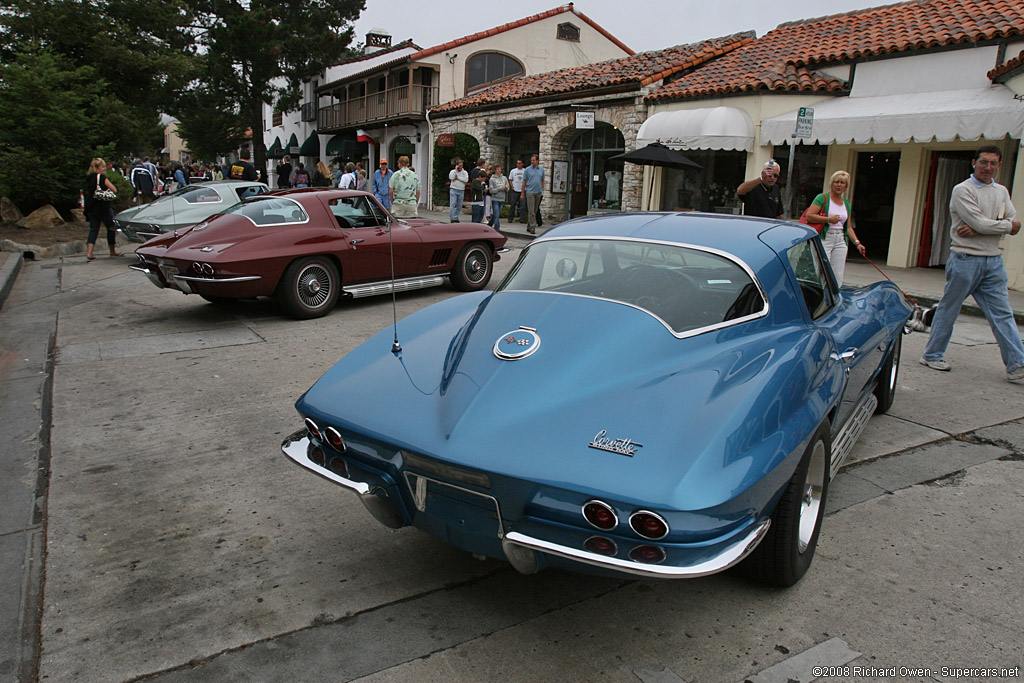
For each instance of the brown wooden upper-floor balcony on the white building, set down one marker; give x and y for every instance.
(406, 103)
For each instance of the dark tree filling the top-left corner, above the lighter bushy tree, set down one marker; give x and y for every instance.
(143, 53)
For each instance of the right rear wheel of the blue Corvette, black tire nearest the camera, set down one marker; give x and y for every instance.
(786, 553)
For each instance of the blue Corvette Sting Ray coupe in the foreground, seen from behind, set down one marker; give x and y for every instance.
(658, 395)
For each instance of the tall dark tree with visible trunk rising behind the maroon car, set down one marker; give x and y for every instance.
(260, 52)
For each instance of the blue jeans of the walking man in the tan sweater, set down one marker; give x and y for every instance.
(986, 280)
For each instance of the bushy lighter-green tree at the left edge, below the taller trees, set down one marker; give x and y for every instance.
(50, 134)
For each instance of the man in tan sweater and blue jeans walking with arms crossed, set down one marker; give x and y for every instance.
(982, 215)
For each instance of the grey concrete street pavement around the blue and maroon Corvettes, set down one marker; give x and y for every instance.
(182, 545)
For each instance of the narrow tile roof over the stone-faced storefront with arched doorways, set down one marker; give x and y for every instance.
(635, 71)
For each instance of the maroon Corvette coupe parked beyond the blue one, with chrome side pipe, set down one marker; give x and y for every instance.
(309, 247)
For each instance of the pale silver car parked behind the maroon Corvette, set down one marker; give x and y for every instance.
(184, 208)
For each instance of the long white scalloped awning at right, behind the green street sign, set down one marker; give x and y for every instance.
(992, 113)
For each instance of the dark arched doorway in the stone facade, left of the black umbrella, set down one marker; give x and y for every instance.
(595, 180)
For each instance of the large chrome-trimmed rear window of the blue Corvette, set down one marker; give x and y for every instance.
(688, 289)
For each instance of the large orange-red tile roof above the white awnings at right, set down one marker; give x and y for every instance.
(784, 59)
